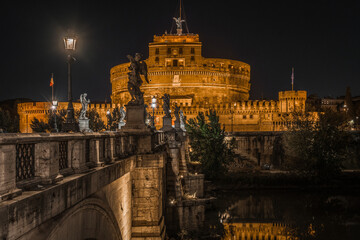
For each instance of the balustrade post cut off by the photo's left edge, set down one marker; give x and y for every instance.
(8, 187)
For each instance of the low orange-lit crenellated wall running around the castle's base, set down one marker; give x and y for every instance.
(247, 115)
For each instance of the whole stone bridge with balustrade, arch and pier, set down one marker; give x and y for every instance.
(107, 185)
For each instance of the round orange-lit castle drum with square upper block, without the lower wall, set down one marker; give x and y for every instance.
(177, 67)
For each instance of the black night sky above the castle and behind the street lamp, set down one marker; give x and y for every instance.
(320, 39)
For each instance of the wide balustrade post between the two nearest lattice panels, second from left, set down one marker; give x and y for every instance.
(47, 162)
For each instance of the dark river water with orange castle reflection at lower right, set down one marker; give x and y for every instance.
(271, 215)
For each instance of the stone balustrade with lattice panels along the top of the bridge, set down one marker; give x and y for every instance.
(28, 160)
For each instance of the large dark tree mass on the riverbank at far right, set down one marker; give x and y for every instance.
(318, 146)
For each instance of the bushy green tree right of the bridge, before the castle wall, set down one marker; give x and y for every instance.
(208, 144)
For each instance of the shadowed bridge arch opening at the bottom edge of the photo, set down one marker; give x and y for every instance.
(91, 219)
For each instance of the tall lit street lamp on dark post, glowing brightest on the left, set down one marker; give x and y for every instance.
(70, 122)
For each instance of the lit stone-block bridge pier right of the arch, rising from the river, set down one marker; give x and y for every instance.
(148, 180)
